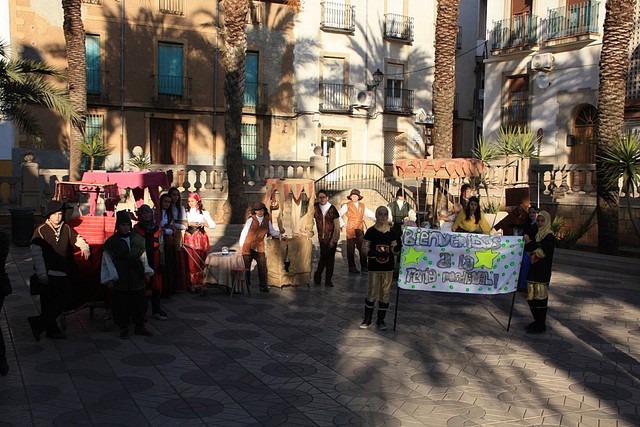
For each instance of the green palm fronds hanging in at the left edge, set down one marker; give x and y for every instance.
(22, 83)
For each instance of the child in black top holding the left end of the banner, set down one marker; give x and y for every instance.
(381, 246)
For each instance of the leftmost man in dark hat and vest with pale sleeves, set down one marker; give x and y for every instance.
(52, 247)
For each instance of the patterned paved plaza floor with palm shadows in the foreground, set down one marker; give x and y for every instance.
(296, 357)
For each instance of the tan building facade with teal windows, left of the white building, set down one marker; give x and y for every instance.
(155, 80)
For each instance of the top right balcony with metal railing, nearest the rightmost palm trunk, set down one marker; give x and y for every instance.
(577, 21)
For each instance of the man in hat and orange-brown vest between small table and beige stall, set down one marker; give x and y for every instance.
(256, 228)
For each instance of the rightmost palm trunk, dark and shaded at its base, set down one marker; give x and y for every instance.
(614, 60)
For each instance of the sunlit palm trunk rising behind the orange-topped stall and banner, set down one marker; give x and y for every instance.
(444, 79)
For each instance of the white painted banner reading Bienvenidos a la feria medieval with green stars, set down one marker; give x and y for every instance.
(434, 260)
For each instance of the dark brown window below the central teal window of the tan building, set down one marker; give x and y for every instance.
(168, 141)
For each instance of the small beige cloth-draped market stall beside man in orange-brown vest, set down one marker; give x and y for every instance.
(291, 207)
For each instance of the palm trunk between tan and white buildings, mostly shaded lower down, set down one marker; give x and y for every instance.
(234, 57)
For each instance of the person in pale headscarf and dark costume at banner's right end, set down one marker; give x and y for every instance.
(540, 248)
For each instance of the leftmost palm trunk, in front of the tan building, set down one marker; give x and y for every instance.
(76, 77)
